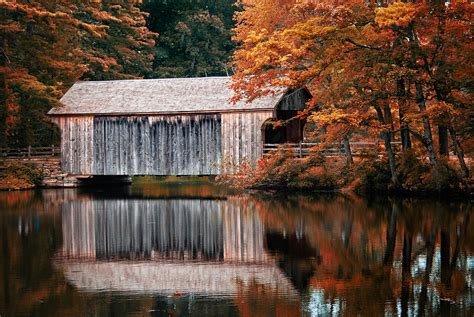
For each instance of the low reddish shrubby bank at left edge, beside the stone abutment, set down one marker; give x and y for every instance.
(19, 176)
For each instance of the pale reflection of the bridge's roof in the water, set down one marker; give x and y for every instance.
(155, 277)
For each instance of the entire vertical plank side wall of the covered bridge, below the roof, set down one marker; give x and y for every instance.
(161, 145)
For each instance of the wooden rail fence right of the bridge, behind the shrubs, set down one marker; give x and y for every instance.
(304, 149)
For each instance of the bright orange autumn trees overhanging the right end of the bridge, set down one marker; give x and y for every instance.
(365, 64)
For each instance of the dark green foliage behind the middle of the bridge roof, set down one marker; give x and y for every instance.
(195, 37)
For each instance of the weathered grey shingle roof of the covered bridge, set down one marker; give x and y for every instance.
(156, 96)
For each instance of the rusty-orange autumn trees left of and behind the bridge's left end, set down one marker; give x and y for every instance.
(48, 45)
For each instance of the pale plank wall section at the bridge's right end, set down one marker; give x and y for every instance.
(242, 138)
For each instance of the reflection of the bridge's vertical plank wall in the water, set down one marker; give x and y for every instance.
(205, 229)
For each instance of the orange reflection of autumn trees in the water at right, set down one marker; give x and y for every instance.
(370, 252)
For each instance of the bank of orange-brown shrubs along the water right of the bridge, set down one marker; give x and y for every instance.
(369, 174)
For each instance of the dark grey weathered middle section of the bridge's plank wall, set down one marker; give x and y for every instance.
(157, 145)
